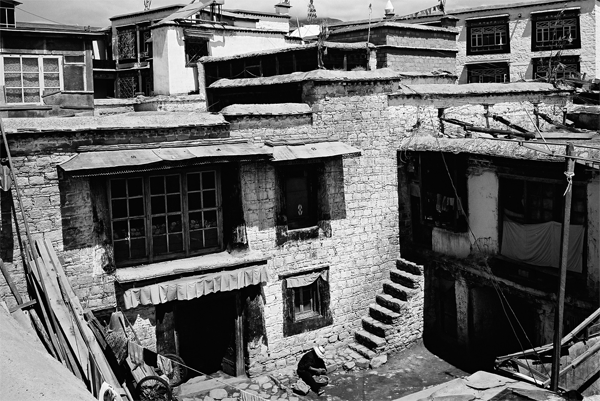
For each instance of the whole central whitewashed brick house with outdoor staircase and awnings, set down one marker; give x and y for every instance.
(239, 239)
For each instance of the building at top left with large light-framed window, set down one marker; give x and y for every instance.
(45, 69)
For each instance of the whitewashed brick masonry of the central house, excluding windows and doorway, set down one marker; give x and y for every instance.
(368, 297)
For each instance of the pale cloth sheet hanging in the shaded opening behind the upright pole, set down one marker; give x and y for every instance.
(539, 244)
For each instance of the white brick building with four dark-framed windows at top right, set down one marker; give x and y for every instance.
(527, 40)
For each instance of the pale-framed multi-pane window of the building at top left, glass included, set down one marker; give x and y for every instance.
(28, 78)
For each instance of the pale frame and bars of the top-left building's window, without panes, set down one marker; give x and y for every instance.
(41, 75)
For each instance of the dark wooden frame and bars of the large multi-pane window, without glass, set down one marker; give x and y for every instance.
(185, 212)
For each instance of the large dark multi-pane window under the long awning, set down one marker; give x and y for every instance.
(160, 217)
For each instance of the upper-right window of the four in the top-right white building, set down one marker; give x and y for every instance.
(554, 30)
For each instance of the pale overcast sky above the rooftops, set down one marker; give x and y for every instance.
(97, 12)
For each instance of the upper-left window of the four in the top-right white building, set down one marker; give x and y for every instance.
(487, 35)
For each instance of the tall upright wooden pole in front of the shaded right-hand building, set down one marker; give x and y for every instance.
(564, 253)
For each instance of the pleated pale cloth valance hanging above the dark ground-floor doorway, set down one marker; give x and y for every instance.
(194, 287)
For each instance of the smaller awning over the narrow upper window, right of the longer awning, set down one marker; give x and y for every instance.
(288, 152)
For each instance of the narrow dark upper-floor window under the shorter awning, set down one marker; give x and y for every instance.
(299, 196)
